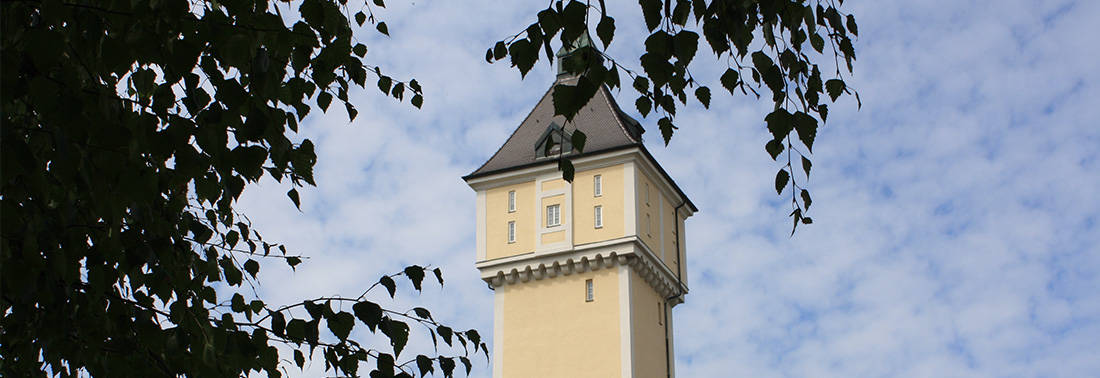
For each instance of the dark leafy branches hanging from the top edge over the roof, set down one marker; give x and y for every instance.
(772, 46)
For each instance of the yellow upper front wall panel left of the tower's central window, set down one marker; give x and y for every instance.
(498, 218)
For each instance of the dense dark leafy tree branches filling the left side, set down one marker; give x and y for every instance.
(130, 131)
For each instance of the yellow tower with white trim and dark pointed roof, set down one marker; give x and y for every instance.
(586, 273)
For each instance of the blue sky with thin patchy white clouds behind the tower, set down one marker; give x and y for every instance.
(955, 213)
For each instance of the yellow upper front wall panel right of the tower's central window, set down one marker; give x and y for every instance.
(611, 201)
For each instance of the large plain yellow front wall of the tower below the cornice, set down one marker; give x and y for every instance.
(549, 330)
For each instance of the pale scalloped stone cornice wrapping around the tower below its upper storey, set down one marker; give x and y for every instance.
(628, 251)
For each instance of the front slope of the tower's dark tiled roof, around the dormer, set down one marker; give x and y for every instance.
(604, 125)
